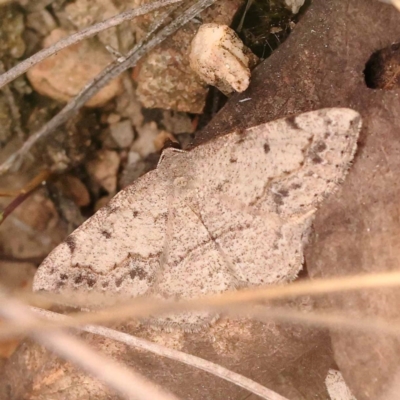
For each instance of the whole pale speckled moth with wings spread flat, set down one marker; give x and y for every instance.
(232, 213)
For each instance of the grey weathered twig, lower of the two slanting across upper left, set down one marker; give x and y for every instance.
(101, 80)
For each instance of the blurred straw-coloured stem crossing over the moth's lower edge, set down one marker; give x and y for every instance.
(142, 308)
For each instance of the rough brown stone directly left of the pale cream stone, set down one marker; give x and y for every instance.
(164, 77)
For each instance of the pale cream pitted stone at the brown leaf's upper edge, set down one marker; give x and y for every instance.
(221, 59)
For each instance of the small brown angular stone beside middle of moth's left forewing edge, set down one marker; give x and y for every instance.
(104, 169)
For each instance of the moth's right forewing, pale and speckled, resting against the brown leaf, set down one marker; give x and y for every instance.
(287, 166)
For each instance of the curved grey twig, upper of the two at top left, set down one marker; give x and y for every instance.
(85, 33)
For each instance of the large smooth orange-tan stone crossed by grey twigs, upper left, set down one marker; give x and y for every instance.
(63, 75)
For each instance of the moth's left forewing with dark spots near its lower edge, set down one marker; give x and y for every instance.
(118, 249)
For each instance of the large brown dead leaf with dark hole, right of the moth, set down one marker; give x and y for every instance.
(322, 65)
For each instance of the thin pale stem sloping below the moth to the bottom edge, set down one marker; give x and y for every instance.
(180, 356)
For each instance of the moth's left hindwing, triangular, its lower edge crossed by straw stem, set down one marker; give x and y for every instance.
(193, 266)
